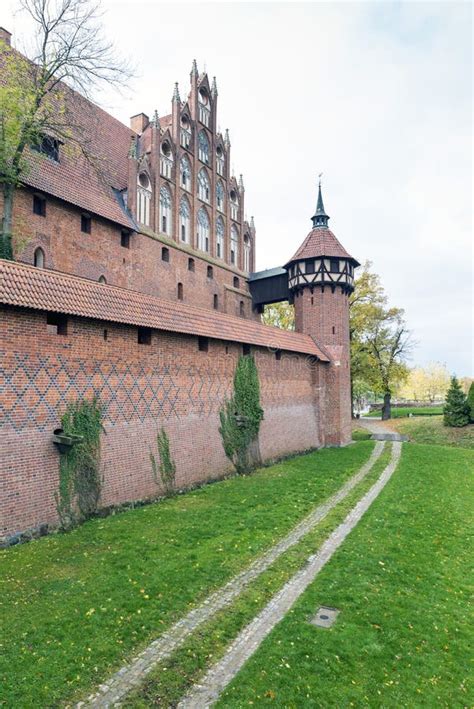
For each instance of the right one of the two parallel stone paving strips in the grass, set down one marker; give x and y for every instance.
(206, 693)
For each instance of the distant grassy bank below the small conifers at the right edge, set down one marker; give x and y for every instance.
(433, 431)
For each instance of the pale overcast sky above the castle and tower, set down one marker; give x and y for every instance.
(376, 95)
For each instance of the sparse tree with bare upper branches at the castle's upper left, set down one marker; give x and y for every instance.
(37, 92)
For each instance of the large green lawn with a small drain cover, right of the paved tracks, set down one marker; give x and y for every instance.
(402, 583)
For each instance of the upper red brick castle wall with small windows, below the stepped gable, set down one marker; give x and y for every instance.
(139, 267)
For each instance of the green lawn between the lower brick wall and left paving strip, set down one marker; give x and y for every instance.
(75, 606)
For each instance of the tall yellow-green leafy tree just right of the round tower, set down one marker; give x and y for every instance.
(380, 342)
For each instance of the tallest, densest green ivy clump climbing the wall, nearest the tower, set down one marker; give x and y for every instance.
(241, 416)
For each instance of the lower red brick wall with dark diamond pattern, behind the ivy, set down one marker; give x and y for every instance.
(168, 383)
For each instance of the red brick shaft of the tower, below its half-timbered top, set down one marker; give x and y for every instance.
(325, 315)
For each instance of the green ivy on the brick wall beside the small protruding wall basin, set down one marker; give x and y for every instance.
(79, 469)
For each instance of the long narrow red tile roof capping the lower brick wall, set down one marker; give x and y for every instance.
(40, 289)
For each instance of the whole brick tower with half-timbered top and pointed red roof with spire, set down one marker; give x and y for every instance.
(320, 280)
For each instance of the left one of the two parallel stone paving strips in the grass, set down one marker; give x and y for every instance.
(114, 689)
